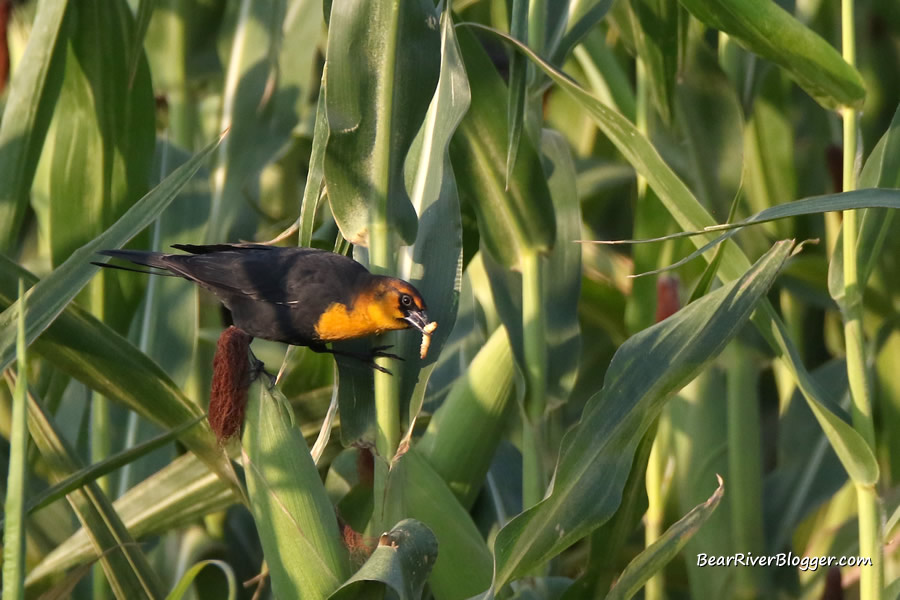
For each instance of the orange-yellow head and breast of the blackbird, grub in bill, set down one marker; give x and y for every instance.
(385, 303)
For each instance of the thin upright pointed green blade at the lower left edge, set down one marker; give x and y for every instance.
(14, 504)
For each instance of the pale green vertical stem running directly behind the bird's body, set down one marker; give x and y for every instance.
(382, 259)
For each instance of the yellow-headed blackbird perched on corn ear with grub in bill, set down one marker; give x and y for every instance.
(299, 296)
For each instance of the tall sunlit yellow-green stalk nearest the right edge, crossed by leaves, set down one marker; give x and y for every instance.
(871, 582)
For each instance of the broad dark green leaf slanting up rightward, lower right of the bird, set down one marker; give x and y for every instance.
(596, 455)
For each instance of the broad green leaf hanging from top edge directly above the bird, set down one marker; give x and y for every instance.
(380, 77)
